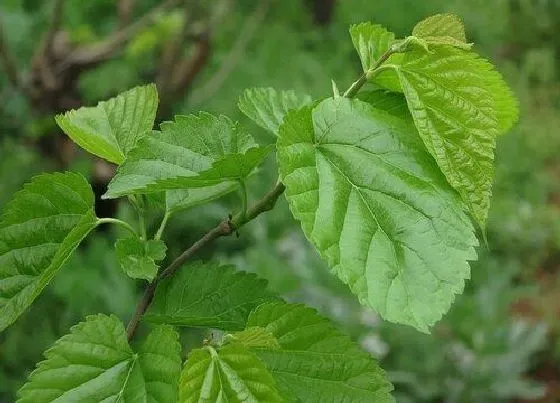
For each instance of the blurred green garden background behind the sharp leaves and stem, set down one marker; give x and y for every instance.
(499, 342)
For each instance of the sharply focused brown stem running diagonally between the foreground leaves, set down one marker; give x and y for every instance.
(224, 228)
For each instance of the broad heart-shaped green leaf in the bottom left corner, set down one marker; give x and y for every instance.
(94, 363)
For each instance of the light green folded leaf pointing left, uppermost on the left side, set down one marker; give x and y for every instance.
(112, 128)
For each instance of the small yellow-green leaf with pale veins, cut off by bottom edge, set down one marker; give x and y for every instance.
(232, 374)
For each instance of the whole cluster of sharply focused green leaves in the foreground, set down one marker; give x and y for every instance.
(383, 186)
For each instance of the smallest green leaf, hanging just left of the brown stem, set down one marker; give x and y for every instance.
(137, 257)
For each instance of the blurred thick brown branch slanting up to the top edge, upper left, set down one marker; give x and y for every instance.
(93, 54)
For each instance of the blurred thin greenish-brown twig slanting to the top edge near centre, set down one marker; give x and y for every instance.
(234, 56)
